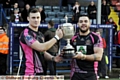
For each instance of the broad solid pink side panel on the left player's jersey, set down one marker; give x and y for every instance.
(29, 59)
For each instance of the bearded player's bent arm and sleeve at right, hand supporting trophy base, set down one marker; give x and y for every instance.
(96, 56)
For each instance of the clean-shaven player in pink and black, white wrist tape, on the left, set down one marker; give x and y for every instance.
(34, 48)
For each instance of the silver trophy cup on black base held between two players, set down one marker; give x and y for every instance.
(68, 32)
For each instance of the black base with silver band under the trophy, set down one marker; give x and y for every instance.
(68, 53)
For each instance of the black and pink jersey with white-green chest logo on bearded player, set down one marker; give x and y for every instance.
(85, 44)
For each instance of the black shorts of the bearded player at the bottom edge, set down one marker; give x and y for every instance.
(84, 76)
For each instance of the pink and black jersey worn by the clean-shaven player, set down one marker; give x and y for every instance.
(33, 61)
